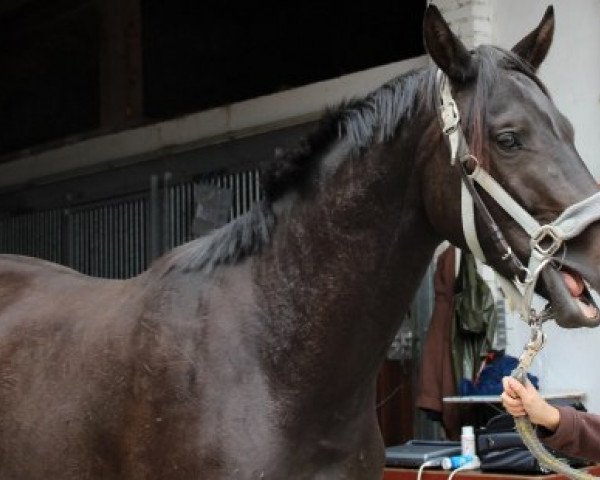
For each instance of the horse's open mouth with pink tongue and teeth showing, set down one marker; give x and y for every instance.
(571, 298)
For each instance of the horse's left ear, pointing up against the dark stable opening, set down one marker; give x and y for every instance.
(446, 50)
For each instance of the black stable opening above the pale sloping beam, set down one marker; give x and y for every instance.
(73, 68)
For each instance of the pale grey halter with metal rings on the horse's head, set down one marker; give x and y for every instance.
(545, 240)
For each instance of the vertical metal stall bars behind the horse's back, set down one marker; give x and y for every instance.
(119, 238)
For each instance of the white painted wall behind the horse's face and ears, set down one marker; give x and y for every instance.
(572, 74)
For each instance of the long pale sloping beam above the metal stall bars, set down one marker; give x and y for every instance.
(210, 127)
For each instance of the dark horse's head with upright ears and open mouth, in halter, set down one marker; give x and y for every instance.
(514, 132)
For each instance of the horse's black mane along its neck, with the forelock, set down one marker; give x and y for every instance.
(361, 123)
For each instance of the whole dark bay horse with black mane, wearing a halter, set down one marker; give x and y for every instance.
(252, 353)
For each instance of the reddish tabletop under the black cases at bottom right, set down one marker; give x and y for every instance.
(437, 474)
